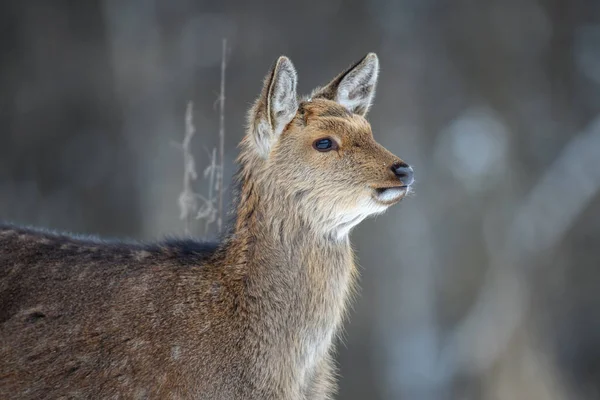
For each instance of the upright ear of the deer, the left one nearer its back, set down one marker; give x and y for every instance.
(276, 106)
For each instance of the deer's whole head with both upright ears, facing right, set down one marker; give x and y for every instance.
(320, 152)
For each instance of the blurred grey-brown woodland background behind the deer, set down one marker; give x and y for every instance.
(484, 285)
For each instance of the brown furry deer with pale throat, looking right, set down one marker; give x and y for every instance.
(253, 316)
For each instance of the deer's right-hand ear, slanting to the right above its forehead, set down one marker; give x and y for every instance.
(355, 87)
